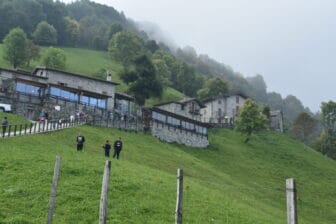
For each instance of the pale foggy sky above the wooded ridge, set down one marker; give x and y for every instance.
(290, 43)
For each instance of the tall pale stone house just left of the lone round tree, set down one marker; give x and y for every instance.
(222, 109)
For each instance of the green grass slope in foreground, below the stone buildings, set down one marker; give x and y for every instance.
(229, 182)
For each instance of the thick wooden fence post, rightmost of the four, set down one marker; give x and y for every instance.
(291, 201)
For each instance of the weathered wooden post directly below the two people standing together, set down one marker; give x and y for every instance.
(103, 197)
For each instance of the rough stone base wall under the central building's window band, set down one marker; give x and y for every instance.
(170, 134)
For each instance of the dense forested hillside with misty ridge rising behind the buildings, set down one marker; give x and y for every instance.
(90, 25)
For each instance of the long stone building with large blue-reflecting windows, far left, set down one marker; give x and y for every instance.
(59, 93)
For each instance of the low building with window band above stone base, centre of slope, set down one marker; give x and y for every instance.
(172, 127)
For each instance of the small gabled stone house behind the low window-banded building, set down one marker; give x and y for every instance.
(189, 108)
